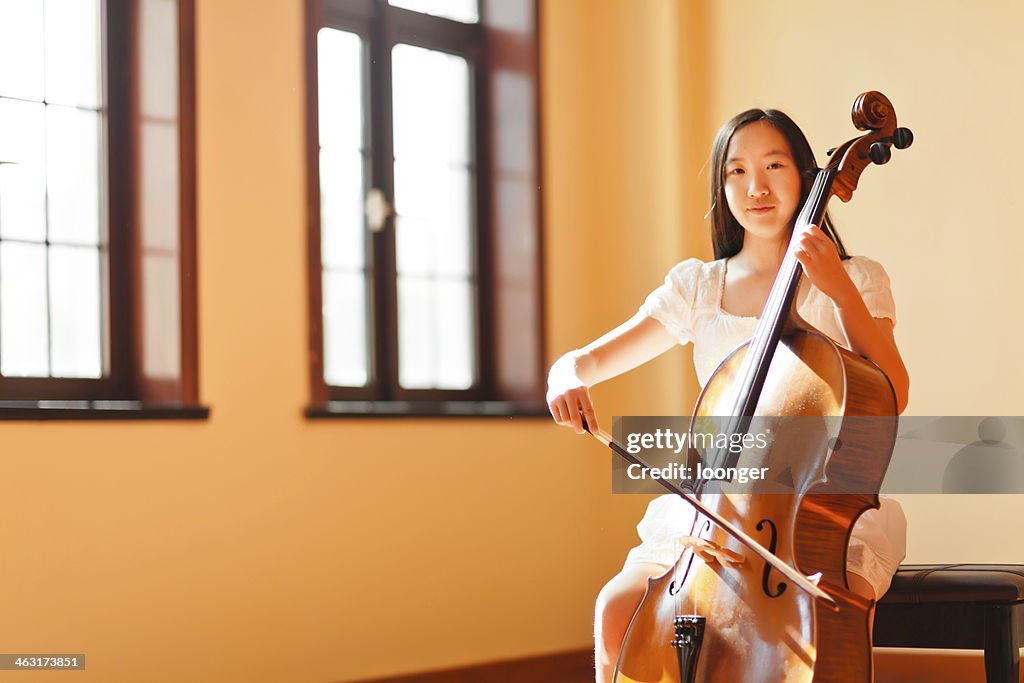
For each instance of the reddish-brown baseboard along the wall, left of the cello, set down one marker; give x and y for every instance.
(574, 667)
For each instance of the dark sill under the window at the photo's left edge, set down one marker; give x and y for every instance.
(100, 410)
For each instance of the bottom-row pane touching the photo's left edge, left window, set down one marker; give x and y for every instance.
(24, 327)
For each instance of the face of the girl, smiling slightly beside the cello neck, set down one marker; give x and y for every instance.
(762, 183)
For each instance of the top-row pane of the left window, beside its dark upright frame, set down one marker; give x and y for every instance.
(73, 53)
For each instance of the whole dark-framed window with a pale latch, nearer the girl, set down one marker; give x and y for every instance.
(424, 210)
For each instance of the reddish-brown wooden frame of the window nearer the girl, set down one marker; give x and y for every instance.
(510, 324)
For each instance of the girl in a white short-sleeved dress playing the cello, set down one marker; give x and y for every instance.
(762, 172)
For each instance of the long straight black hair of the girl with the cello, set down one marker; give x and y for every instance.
(727, 233)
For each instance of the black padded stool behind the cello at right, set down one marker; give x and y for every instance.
(958, 607)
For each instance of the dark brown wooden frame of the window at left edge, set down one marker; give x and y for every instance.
(126, 393)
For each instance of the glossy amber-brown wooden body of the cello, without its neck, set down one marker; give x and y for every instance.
(758, 629)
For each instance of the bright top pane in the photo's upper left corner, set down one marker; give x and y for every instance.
(22, 50)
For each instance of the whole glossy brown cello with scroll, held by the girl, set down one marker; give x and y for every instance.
(755, 616)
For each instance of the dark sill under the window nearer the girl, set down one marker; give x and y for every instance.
(440, 409)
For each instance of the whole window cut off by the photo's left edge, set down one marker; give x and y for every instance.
(98, 298)
